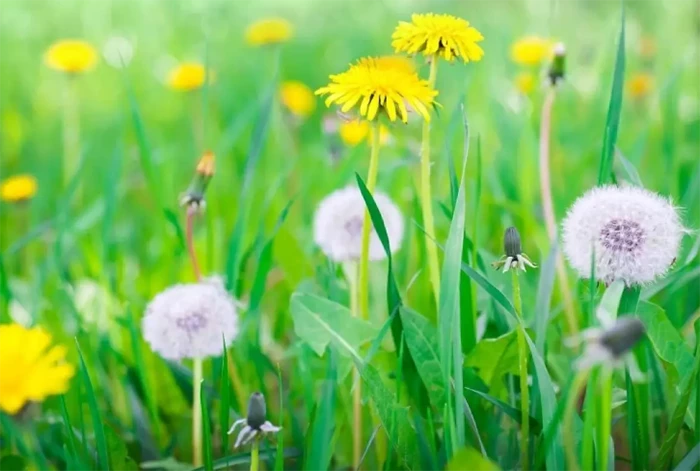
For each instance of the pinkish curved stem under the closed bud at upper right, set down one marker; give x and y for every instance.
(548, 208)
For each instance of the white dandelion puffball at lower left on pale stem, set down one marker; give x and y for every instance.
(191, 320)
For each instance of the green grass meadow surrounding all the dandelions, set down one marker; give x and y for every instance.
(440, 384)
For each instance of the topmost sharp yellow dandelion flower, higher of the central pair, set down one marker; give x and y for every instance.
(438, 35)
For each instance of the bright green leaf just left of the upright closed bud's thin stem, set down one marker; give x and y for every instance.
(495, 358)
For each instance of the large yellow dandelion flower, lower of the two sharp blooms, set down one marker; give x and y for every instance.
(378, 87)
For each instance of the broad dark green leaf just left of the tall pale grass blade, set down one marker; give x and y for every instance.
(421, 338)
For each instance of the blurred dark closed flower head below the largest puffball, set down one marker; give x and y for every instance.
(609, 345)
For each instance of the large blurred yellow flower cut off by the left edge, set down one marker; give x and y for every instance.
(30, 368)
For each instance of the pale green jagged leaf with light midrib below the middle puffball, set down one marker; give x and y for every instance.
(320, 322)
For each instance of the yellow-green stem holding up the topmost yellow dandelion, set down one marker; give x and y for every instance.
(425, 194)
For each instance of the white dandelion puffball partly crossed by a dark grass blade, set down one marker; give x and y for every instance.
(338, 225)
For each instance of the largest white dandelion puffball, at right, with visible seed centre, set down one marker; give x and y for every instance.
(635, 234)
